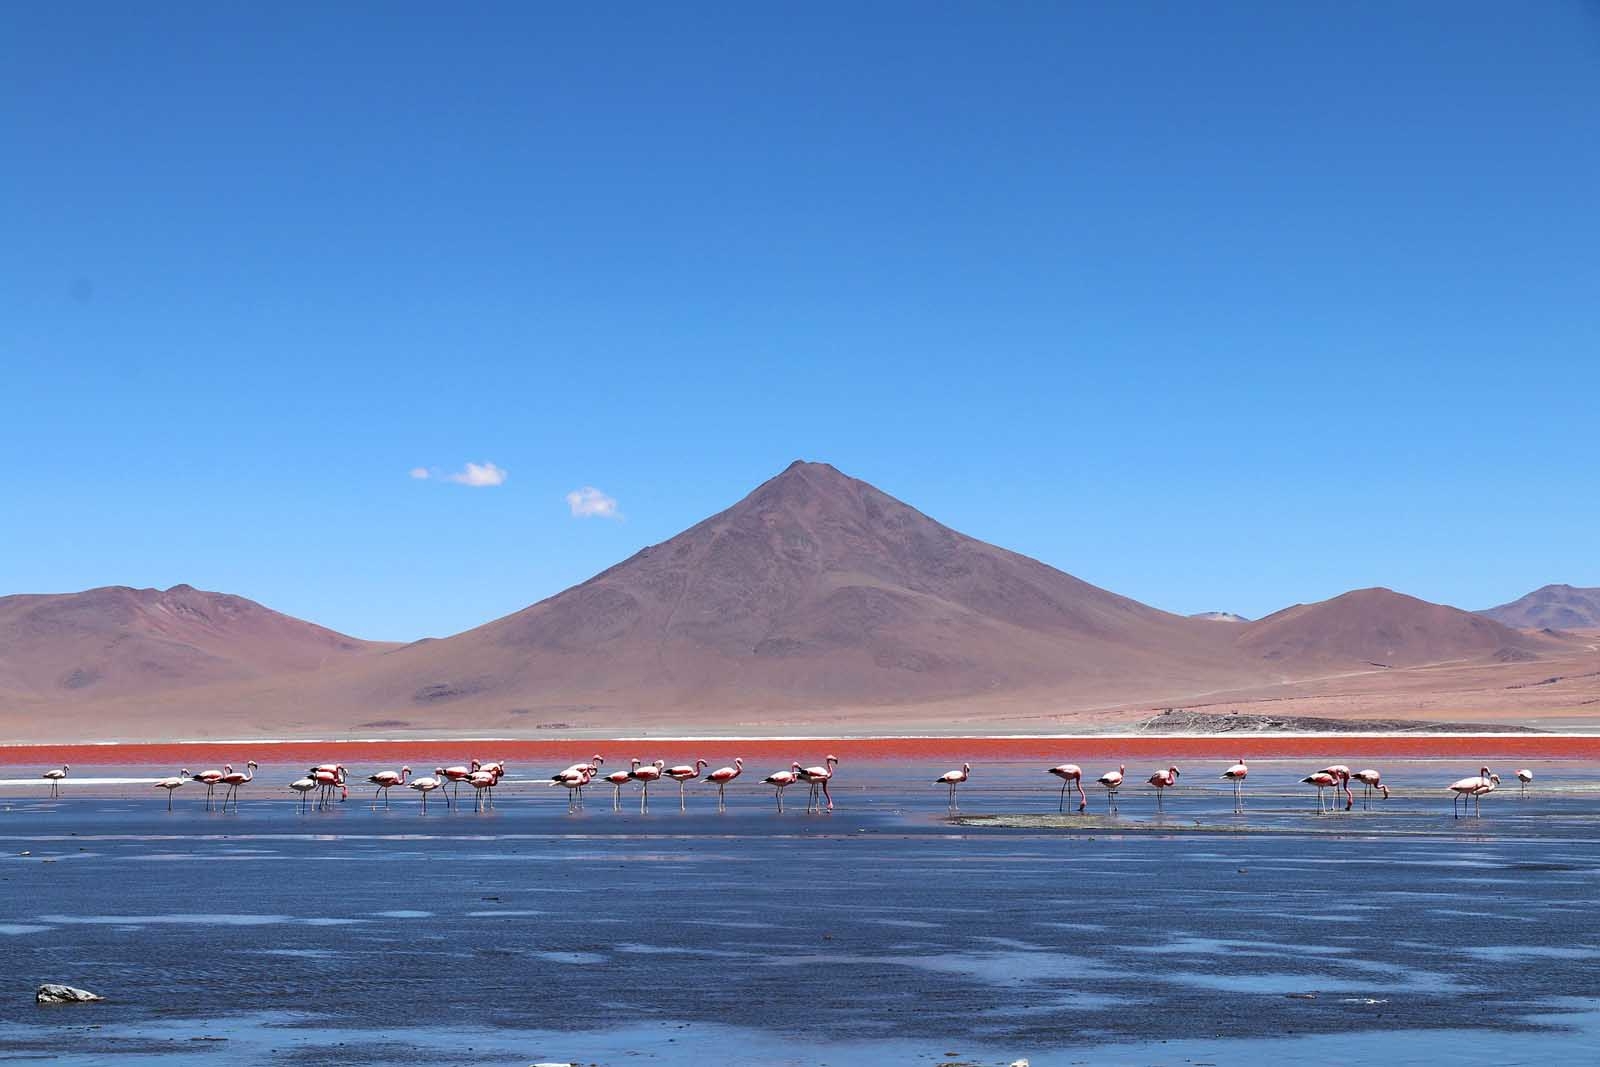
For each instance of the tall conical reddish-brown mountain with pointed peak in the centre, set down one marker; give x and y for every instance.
(814, 591)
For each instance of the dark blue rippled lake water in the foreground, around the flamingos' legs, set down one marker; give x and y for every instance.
(882, 933)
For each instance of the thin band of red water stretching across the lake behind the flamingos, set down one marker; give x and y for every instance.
(1054, 749)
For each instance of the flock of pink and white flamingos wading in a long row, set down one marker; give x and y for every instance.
(329, 783)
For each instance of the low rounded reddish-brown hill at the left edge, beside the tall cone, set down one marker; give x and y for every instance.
(118, 642)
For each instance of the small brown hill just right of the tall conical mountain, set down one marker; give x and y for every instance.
(1380, 628)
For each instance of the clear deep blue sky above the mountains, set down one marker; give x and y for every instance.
(1218, 306)
